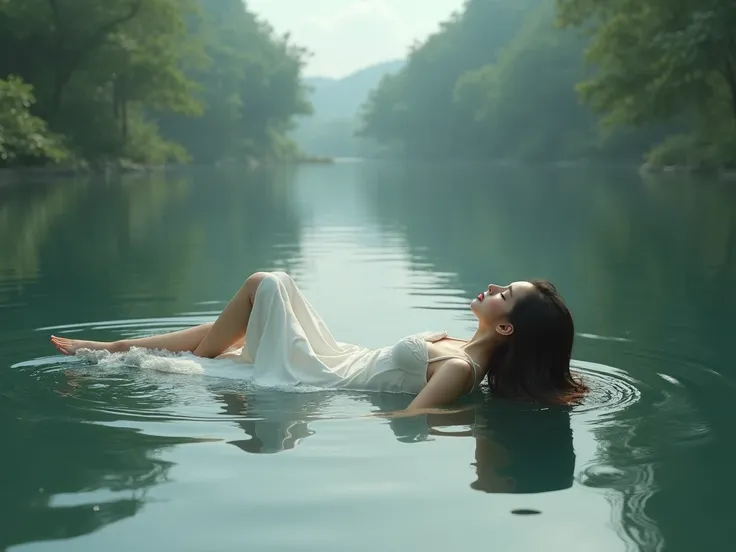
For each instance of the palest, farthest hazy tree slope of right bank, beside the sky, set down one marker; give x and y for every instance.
(415, 109)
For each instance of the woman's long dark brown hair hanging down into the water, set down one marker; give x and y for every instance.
(533, 363)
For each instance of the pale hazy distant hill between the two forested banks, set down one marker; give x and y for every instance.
(341, 98)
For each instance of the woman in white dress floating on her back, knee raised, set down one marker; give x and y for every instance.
(522, 346)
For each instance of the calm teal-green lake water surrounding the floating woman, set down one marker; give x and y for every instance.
(122, 458)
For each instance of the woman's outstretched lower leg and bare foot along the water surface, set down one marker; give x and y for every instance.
(179, 341)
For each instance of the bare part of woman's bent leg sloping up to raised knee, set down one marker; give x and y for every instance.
(230, 326)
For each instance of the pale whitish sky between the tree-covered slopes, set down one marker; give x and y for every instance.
(345, 35)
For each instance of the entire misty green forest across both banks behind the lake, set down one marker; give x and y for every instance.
(85, 82)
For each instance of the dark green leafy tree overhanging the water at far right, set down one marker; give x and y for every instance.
(662, 61)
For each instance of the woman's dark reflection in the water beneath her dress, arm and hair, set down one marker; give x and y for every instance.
(517, 448)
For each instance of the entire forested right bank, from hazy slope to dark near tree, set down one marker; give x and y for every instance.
(546, 80)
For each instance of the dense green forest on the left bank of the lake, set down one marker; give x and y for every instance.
(149, 81)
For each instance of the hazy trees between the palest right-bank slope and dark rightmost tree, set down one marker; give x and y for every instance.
(525, 105)
